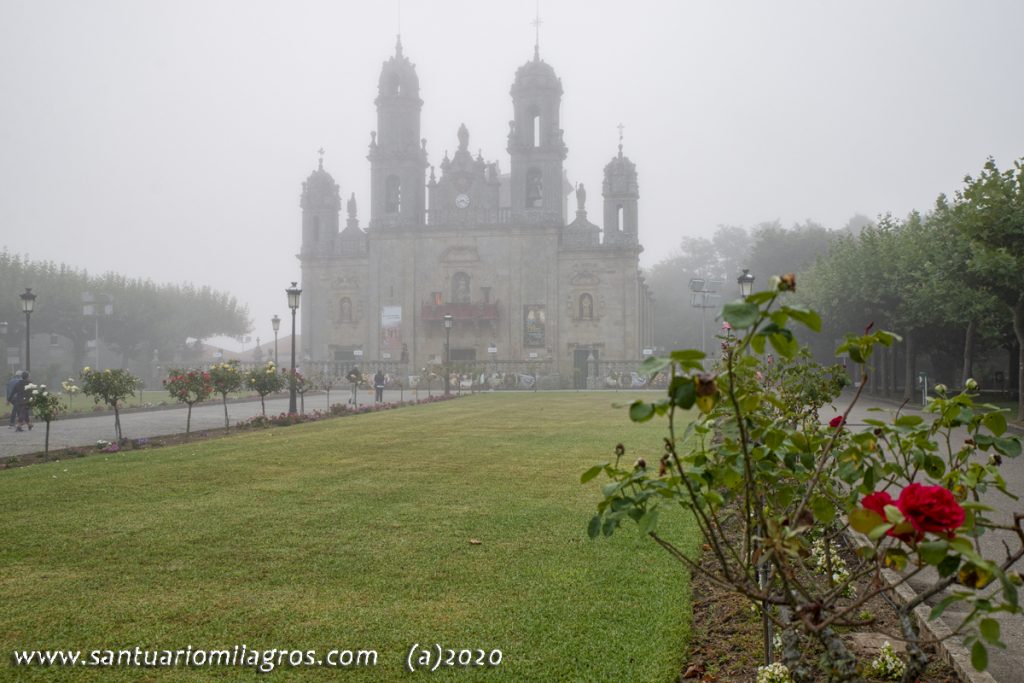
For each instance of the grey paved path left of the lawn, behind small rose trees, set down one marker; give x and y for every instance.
(87, 432)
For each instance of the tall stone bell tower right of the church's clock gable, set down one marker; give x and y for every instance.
(536, 144)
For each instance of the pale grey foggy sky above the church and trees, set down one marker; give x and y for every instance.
(170, 140)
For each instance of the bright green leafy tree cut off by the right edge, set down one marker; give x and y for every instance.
(990, 215)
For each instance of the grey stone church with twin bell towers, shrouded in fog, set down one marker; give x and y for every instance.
(527, 290)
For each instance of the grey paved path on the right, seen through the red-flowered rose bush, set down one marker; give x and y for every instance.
(1004, 665)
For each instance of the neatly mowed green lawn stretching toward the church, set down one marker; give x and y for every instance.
(351, 534)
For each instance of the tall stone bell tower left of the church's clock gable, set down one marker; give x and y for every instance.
(398, 155)
